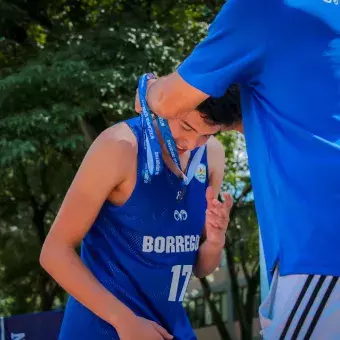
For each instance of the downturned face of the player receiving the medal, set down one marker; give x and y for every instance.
(191, 131)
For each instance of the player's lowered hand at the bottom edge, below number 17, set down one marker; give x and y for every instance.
(142, 329)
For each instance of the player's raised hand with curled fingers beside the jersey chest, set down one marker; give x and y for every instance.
(217, 217)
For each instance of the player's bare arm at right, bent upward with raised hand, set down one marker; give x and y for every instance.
(210, 251)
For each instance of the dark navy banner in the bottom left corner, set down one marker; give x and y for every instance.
(38, 326)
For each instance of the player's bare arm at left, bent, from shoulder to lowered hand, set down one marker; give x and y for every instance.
(105, 167)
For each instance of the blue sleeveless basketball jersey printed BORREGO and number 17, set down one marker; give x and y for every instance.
(144, 251)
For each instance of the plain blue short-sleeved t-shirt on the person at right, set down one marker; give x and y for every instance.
(286, 57)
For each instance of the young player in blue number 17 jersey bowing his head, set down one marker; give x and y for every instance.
(140, 241)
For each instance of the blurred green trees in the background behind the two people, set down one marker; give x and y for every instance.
(68, 70)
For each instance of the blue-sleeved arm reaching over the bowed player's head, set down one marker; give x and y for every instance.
(231, 53)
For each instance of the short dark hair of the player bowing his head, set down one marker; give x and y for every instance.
(225, 110)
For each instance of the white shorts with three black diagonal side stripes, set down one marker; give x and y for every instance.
(301, 307)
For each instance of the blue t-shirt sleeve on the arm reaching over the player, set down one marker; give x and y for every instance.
(232, 51)
